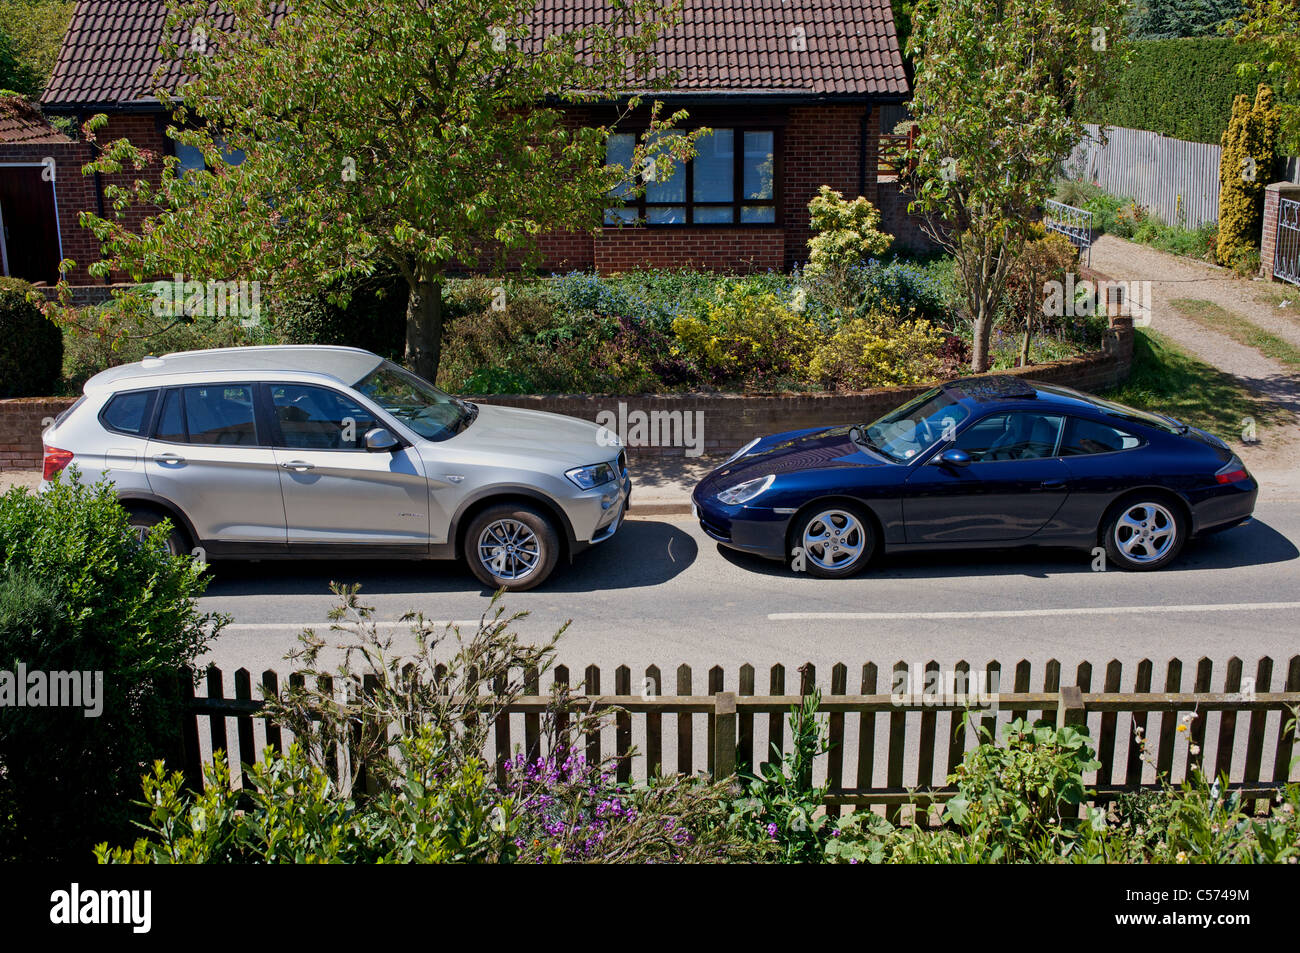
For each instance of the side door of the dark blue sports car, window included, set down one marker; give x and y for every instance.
(1013, 487)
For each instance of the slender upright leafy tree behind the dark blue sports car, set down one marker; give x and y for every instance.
(995, 98)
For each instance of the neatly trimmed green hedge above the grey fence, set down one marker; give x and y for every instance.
(1180, 88)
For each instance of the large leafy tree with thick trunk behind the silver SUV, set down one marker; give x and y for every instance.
(413, 136)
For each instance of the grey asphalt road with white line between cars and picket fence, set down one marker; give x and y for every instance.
(664, 594)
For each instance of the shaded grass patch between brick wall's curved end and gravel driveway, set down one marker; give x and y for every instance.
(1168, 380)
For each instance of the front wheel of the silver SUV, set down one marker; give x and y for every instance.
(513, 548)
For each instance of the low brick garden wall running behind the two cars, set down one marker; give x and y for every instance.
(714, 424)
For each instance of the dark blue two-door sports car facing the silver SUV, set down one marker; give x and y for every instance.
(986, 462)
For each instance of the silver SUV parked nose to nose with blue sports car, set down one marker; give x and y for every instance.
(336, 453)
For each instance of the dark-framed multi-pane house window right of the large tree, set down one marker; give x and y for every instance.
(733, 180)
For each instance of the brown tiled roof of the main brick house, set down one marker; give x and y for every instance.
(811, 47)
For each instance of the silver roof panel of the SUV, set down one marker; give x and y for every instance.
(343, 365)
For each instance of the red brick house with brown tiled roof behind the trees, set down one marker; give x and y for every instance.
(794, 90)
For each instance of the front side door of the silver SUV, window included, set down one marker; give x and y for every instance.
(337, 492)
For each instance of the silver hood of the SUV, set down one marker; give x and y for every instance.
(522, 436)
